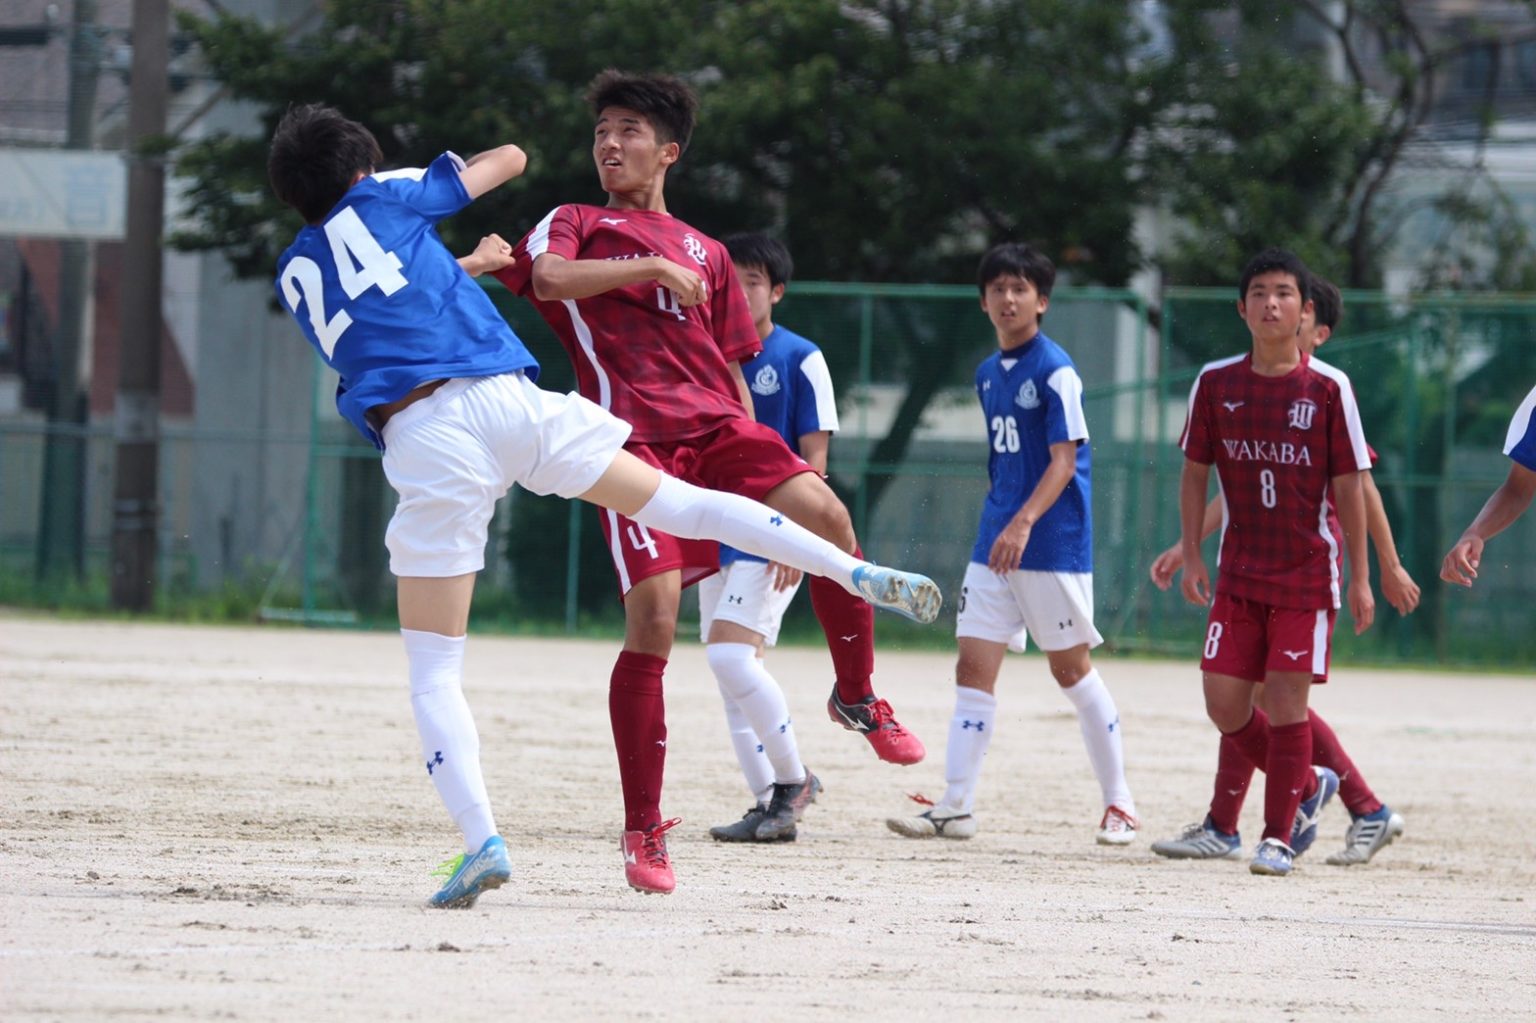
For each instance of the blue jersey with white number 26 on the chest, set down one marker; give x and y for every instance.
(1030, 405)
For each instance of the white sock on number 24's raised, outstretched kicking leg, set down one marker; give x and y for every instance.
(697, 514)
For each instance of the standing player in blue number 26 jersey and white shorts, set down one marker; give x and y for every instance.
(1033, 563)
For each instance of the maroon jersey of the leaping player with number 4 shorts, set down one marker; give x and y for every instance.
(637, 353)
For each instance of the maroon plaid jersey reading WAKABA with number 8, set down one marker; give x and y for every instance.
(1277, 442)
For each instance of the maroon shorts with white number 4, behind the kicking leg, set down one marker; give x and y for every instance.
(741, 457)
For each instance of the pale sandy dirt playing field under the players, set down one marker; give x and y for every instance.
(233, 824)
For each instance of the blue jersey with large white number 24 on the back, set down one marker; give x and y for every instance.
(385, 302)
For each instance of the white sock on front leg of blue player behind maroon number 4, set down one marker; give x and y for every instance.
(756, 697)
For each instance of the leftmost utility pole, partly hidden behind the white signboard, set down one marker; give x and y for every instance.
(61, 537)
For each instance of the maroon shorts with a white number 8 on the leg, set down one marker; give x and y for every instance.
(1250, 640)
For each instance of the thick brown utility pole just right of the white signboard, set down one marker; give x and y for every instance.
(136, 506)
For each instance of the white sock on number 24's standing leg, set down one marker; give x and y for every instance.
(449, 743)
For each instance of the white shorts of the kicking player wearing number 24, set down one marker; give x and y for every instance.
(462, 448)
